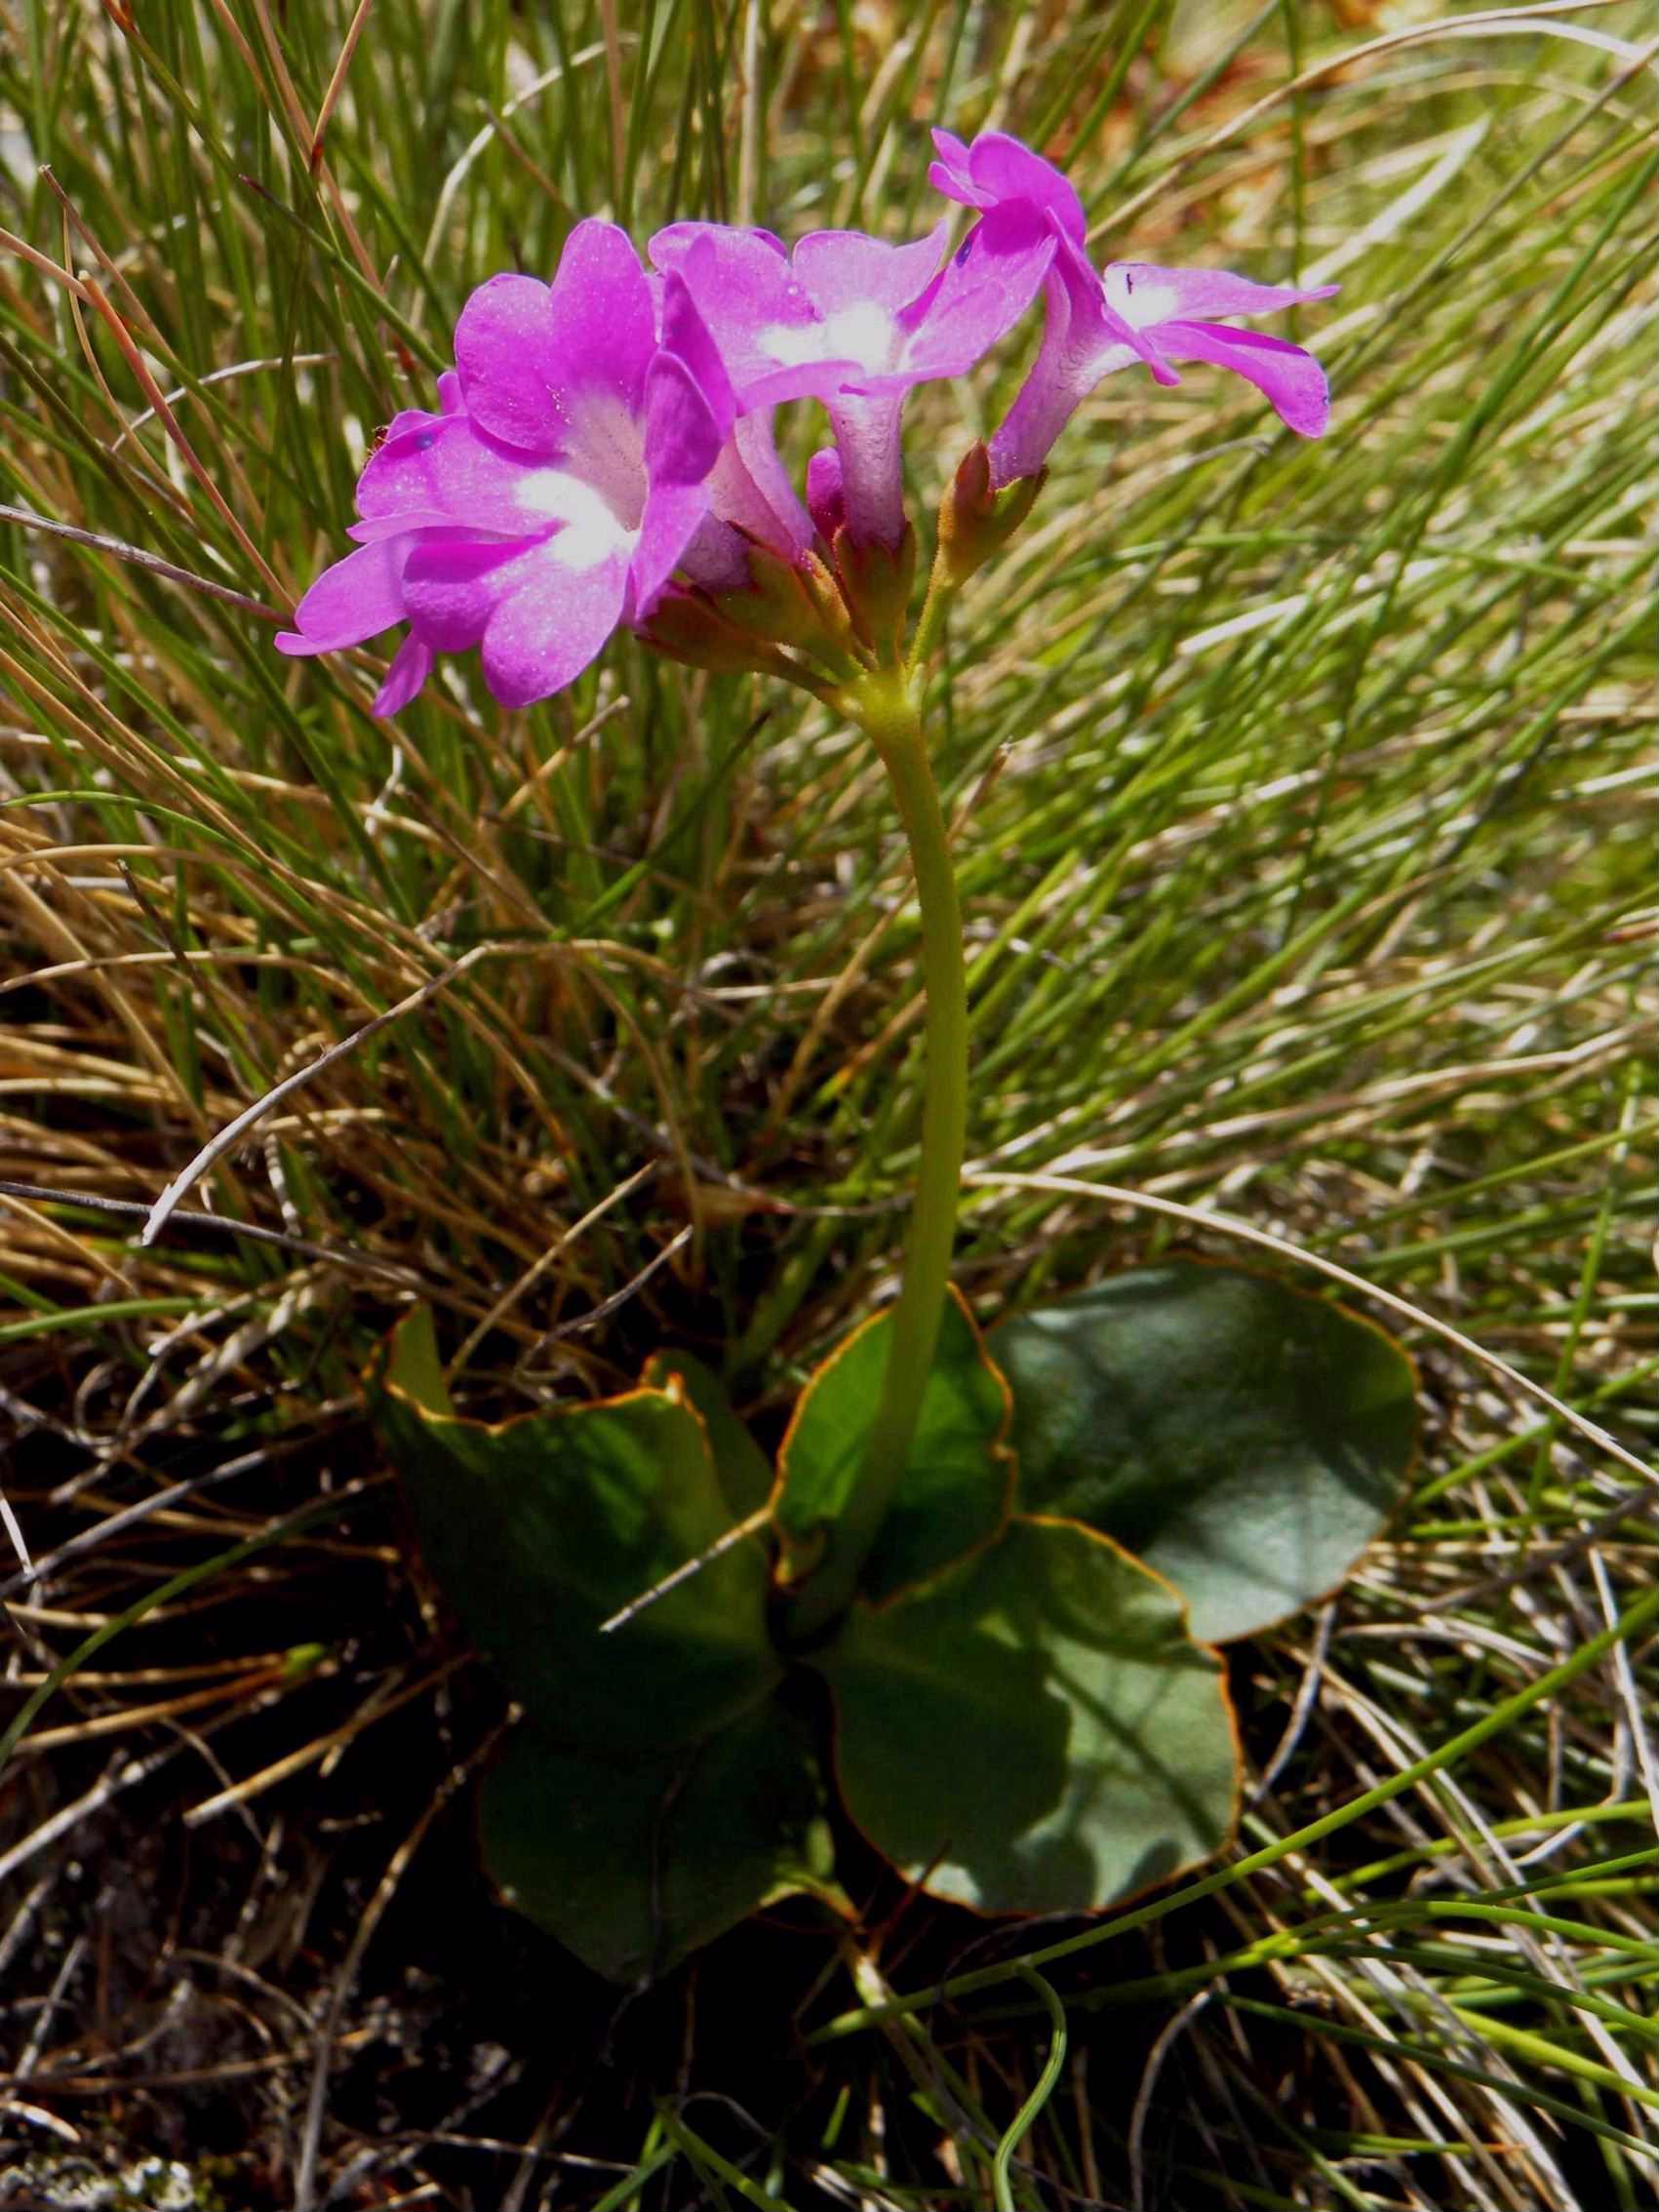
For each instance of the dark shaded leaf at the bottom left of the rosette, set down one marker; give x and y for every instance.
(636, 1866)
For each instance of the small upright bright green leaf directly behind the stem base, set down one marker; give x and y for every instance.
(959, 1477)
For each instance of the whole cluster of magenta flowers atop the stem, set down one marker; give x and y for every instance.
(603, 452)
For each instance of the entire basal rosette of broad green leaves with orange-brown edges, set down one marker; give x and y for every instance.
(1025, 1709)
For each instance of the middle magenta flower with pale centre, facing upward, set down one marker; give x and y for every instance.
(855, 324)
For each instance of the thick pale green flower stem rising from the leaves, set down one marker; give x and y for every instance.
(886, 707)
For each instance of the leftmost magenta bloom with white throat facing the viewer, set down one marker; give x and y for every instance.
(552, 499)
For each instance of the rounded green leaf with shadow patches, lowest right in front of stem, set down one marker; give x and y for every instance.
(1036, 1731)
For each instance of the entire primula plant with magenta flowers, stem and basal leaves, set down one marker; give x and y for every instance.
(974, 1607)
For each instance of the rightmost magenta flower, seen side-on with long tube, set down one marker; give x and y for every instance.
(1134, 313)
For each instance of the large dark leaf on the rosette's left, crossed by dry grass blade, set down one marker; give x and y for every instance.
(539, 1530)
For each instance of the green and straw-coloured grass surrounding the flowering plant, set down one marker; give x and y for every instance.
(1306, 851)
